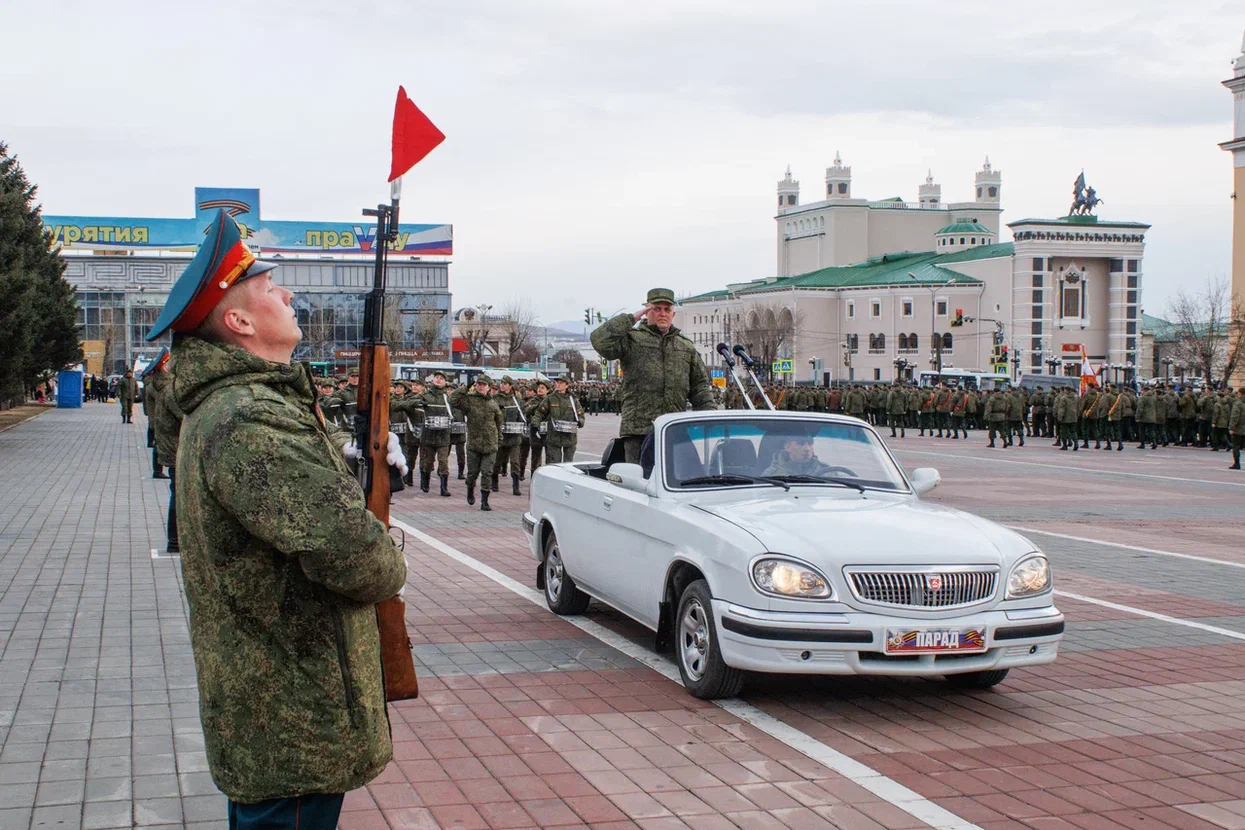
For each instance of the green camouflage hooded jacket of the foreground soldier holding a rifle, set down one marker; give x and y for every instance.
(283, 566)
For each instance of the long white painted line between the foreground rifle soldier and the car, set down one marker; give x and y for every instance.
(885, 788)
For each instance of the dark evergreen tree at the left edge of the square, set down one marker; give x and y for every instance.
(38, 332)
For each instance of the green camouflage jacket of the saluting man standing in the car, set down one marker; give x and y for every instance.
(663, 373)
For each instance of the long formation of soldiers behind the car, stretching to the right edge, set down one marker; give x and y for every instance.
(1109, 417)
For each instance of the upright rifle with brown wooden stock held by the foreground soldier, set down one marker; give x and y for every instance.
(372, 436)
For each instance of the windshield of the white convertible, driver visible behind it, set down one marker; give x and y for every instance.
(760, 451)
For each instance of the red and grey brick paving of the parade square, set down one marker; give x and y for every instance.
(526, 722)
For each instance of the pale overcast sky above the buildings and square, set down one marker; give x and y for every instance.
(599, 149)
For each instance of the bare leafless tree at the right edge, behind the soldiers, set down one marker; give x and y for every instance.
(1202, 322)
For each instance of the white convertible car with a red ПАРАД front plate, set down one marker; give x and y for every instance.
(790, 542)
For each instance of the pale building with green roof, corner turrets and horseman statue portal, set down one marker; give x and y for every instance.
(867, 291)
